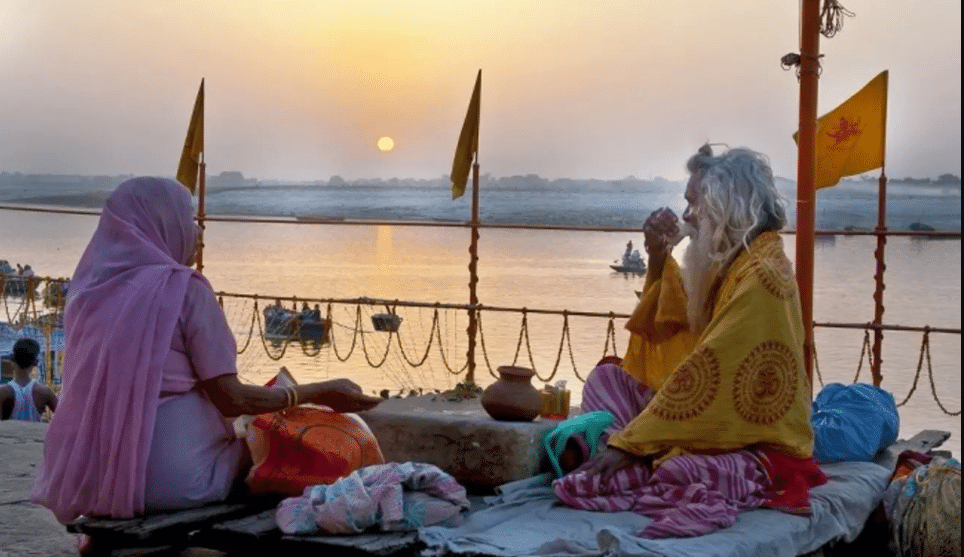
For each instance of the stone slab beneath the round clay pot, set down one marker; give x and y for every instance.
(460, 438)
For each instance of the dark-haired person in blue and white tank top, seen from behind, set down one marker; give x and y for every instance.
(23, 398)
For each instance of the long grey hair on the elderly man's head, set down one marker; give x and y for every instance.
(738, 196)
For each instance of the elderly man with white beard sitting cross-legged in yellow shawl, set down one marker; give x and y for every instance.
(711, 402)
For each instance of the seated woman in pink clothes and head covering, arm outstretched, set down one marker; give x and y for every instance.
(150, 381)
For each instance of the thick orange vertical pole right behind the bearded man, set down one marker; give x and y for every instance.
(807, 168)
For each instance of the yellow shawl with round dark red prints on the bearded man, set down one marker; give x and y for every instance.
(741, 382)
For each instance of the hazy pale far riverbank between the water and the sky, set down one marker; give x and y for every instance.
(839, 208)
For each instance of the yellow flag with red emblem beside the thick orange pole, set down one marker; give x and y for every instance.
(852, 138)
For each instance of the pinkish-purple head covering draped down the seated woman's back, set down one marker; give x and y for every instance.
(122, 309)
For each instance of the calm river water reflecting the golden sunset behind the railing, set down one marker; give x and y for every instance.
(551, 270)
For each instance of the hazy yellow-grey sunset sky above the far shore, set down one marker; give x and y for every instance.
(303, 89)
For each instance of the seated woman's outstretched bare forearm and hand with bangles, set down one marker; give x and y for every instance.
(234, 398)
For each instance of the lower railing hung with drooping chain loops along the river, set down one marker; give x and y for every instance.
(43, 313)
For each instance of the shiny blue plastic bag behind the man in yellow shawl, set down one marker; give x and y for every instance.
(853, 422)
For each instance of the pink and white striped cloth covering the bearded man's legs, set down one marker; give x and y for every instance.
(689, 495)
